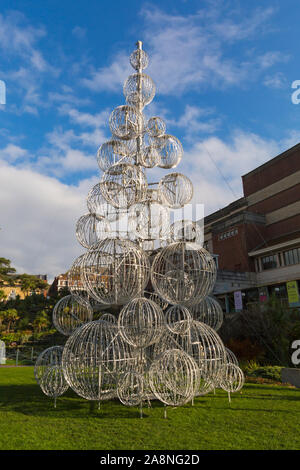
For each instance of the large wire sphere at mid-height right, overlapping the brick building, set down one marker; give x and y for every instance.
(183, 273)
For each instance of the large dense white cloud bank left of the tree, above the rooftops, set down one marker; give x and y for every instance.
(38, 217)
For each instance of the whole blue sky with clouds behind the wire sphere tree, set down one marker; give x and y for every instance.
(223, 72)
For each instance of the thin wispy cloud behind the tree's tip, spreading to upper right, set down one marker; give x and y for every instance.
(194, 50)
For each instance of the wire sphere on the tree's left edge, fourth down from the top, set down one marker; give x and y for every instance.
(112, 152)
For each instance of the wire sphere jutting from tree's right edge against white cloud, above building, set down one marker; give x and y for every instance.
(176, 190)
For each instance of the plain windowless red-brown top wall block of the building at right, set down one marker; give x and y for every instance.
(272, 172)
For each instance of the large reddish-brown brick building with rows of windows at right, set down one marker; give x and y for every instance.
(256, 239)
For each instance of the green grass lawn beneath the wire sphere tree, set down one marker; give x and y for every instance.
(262, 417)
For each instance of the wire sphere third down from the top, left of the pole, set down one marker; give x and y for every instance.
(126, 122)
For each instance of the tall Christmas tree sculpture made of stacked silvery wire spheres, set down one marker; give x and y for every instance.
(156, 337)
